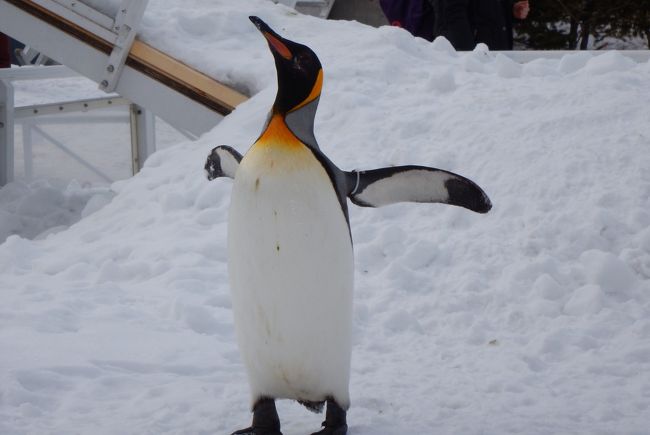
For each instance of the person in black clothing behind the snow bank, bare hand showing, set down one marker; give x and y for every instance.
(466, 23)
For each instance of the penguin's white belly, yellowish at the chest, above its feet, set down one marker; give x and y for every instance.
(290, 265)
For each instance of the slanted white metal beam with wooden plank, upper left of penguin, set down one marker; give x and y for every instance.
(105, 50)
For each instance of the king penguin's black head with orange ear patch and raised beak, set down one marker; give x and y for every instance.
(300, 74)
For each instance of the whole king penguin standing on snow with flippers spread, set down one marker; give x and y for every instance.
(290, 258)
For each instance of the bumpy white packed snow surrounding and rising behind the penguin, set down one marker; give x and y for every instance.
(534, 318)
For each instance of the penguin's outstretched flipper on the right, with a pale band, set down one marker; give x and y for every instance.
(378, 187)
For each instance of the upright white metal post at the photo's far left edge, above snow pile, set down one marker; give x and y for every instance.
(6, 132)
